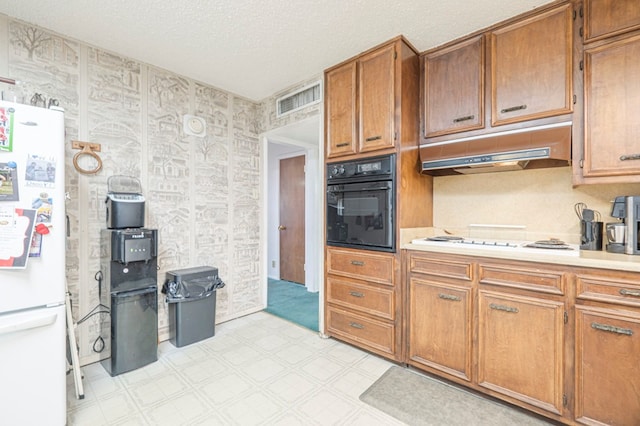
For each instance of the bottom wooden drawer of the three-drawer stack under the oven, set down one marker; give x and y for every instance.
(376, 334)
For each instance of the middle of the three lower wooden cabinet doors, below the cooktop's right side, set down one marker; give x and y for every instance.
(520, 348)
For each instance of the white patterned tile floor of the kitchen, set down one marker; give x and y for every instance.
(256, 370)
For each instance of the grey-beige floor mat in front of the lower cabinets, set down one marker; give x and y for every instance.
(420, 400)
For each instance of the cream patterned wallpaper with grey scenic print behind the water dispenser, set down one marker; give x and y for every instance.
(203, 194)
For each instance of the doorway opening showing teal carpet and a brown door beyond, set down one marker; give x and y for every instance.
(298, 143)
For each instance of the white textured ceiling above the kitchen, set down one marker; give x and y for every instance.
(255, 48)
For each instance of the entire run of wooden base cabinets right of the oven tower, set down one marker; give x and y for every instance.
(558, 340)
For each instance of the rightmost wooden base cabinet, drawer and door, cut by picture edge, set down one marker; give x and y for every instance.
(607, 348)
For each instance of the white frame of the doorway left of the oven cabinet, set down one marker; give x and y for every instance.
(314, 206)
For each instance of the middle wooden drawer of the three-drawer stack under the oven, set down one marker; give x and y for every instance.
(361, 297)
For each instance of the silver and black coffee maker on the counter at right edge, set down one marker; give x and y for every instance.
(622, 236)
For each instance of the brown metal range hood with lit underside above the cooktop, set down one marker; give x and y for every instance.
(533, 147)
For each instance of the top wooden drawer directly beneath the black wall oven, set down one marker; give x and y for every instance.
(375, 267)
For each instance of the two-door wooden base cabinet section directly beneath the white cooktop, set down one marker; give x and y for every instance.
(498, 327)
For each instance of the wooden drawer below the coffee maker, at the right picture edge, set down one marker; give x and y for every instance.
(621, 291)
